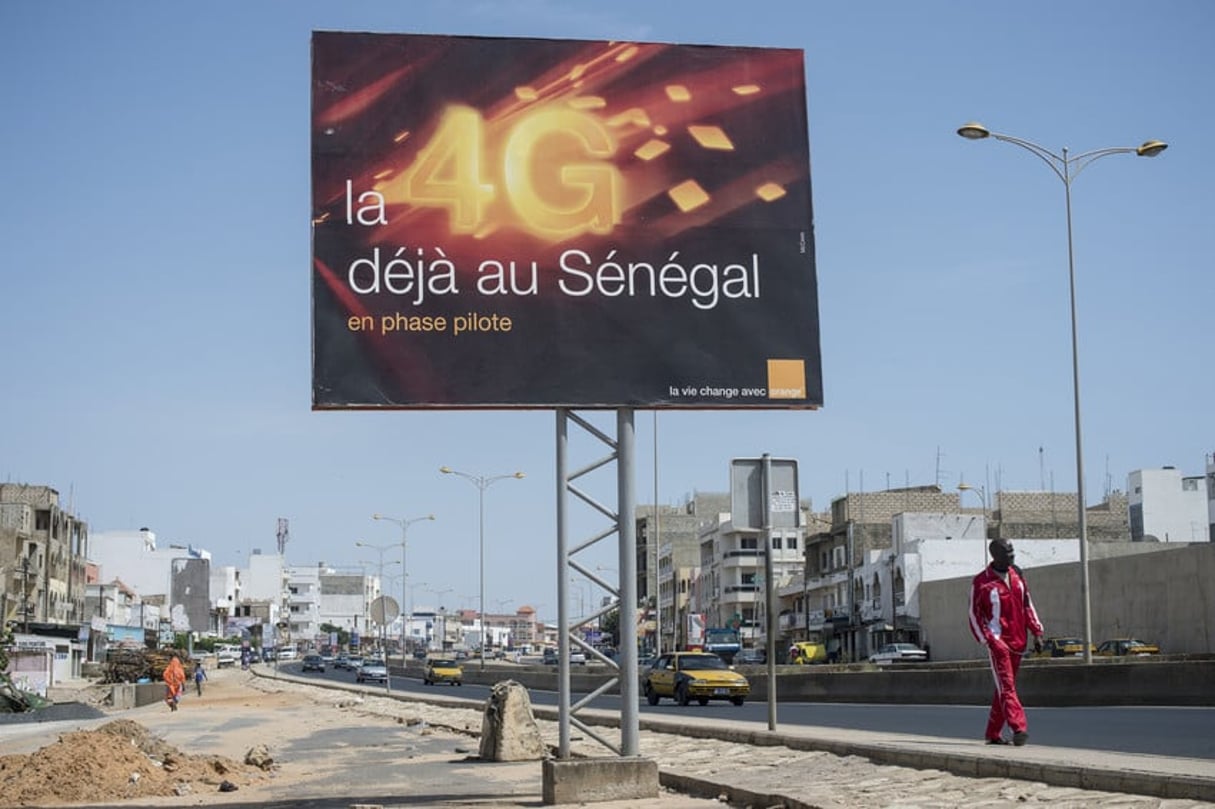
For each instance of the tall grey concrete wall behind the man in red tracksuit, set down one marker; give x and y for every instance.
(1167, 598)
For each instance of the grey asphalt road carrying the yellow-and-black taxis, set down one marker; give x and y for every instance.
(1154, 731)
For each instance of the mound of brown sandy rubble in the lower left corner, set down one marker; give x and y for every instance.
(118, 761)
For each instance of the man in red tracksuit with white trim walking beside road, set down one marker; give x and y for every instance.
(1002, 618)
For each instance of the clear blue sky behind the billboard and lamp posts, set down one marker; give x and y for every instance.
(155, 307)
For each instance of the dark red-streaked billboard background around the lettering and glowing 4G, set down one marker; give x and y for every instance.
(564, 350)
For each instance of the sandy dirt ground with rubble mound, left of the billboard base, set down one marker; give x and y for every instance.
(326, 748)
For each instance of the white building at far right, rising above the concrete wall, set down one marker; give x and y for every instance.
(1167, 507)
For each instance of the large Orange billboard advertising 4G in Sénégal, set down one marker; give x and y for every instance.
(528, 223)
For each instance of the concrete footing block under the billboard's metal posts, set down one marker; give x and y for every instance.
(590, 780)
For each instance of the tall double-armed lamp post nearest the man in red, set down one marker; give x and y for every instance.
(1067, 168)
